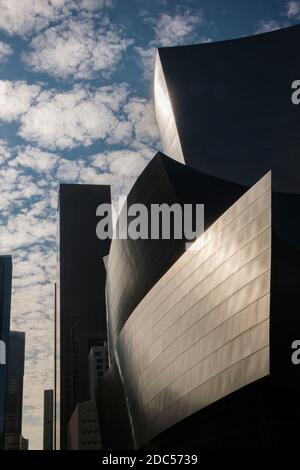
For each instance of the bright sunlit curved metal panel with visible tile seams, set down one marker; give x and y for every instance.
(202, 331)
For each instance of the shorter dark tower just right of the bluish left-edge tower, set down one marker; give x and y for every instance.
(14, 399)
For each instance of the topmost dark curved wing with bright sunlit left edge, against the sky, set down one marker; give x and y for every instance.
(231, 107)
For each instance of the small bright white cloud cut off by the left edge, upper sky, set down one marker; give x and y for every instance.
(16, 98)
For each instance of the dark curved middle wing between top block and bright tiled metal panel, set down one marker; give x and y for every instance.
(134, 266)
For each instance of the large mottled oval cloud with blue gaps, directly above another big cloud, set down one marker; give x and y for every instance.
(77, 49)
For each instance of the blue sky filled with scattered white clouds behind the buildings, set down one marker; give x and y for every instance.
(76, 106)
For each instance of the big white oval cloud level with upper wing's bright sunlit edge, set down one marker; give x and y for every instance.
(77, 117)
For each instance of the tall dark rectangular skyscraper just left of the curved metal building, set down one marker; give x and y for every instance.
(81, 315)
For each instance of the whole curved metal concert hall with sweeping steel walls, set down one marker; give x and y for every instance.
(200, 339)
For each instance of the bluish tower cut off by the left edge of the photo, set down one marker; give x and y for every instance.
(5, 299)
